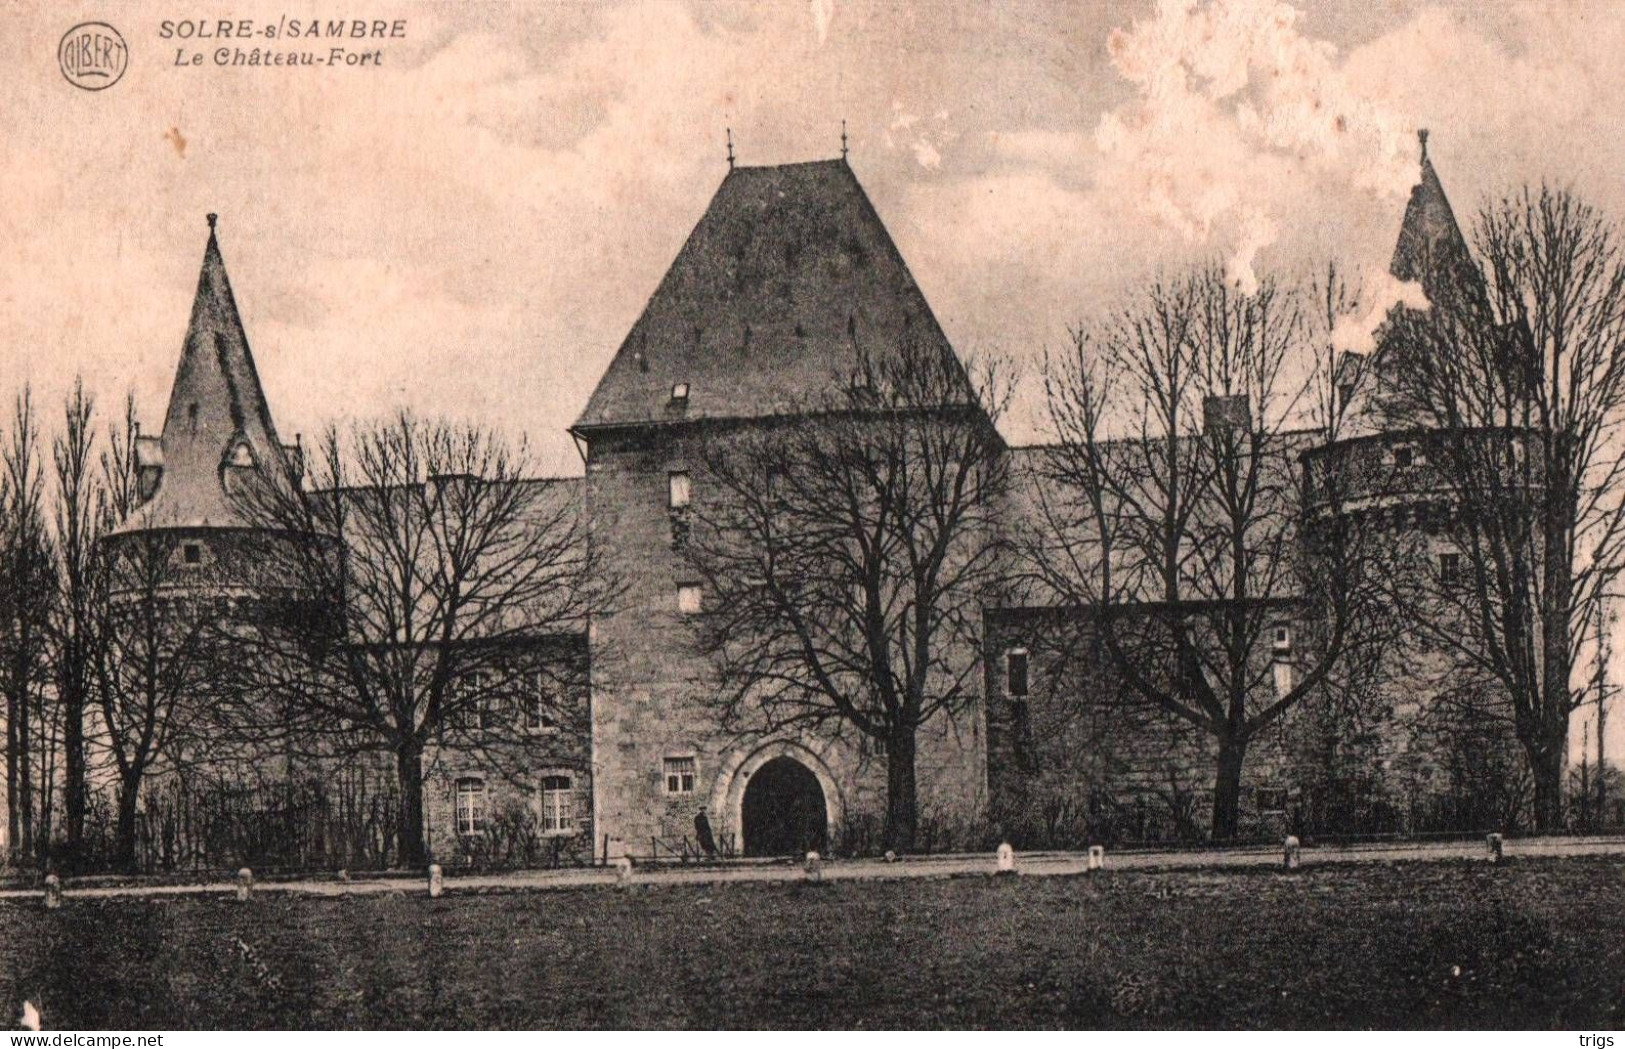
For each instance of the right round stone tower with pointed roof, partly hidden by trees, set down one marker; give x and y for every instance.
(1442, 749)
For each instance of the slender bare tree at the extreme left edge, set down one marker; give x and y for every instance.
(27, 592)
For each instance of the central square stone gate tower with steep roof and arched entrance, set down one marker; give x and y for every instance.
(786, 283)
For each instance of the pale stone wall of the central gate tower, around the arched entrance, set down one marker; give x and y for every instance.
(654, 689)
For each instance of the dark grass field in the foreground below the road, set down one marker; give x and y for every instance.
(1535, 944)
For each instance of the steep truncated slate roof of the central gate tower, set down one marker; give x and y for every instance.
(786, 285)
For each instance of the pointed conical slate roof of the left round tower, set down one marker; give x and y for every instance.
(219, 420)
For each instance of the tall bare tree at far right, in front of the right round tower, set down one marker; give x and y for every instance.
(1517, 381)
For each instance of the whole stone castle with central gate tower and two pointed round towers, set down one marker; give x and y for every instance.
(784, 287)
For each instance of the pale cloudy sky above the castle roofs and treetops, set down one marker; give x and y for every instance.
(470, 227)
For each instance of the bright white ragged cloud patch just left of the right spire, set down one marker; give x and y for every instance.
(1233, 106)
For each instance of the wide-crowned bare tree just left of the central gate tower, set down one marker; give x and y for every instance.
(425, 577)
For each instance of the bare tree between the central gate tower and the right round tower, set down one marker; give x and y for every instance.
(1171, 512)
